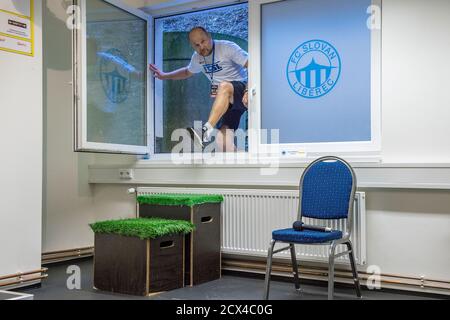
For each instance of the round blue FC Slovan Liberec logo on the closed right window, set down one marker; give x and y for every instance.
(314, 69)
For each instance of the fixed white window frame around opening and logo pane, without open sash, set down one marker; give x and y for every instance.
(361, 151)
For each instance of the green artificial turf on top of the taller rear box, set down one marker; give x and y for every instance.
(189, 200)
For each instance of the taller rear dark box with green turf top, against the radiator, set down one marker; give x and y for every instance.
(203, 256)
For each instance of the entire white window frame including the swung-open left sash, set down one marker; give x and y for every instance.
(369, 151)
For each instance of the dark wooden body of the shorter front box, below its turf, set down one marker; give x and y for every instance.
(129, 265)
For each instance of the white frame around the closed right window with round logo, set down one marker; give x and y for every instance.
(370, 151)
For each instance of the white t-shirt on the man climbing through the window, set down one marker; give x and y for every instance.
(229, 61)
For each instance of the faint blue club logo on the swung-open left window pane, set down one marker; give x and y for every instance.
(114, 75)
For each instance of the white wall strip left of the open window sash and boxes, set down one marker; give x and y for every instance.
(68, 198)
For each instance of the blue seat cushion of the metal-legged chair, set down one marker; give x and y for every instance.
(305, 236)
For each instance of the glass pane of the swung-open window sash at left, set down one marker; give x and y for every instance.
(116, 75)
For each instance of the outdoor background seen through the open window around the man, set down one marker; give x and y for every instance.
(179, 103)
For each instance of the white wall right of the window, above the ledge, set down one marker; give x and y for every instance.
(416, 99)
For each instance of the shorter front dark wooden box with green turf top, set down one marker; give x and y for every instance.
(139, 256)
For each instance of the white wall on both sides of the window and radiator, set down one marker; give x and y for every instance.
(407, 230)
